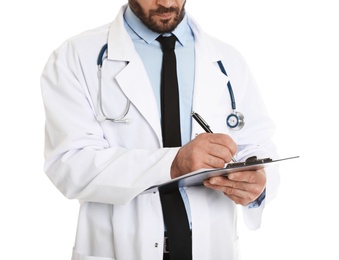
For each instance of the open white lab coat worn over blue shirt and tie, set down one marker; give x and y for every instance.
(106, 166)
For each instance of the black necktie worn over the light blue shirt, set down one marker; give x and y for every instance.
(175, 217)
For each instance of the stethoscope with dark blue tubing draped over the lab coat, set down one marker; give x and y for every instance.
(234, 121)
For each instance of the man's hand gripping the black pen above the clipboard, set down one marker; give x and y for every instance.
(204, 151)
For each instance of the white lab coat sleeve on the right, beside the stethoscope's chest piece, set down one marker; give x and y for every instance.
(255, 139)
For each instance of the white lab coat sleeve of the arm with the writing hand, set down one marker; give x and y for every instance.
(78, 159)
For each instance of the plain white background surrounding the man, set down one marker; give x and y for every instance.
(292, 49)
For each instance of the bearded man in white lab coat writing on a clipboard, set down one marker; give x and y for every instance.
(107, 164)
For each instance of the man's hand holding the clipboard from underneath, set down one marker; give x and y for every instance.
(241, 187)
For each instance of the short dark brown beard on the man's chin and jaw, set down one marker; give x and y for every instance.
(158, 25)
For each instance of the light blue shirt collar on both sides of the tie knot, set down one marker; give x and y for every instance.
(149, 36)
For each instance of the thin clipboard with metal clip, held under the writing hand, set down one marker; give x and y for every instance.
(197, 178)
